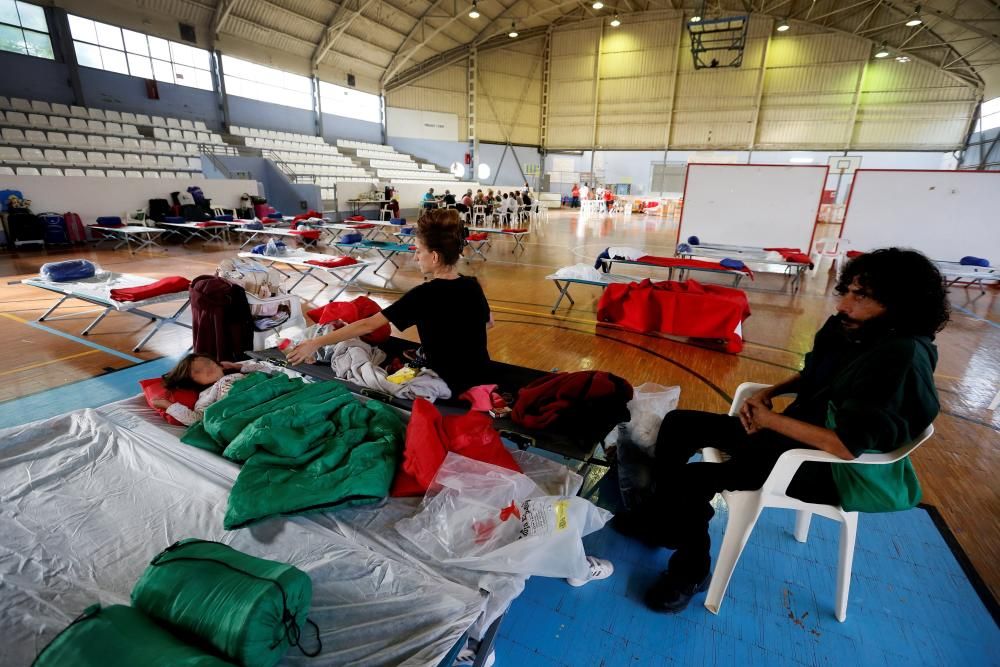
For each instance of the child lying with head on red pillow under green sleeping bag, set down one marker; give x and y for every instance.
(214, 379)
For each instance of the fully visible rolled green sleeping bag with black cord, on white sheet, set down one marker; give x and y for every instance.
(249, 609)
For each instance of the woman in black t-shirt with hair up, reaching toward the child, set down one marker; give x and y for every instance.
(450, 310)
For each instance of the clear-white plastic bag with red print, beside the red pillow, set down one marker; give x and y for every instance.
(484, 517)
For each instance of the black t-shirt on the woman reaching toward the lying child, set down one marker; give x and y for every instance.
(451, 318)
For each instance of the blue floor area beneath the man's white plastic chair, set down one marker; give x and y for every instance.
(910, 604)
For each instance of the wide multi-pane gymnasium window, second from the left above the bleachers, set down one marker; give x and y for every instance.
(115, 49)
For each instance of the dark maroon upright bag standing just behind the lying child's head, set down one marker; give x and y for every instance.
(221, 322)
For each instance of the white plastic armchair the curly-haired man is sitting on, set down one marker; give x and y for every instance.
(745, 507)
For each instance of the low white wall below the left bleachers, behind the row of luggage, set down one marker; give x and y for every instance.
(92, 197)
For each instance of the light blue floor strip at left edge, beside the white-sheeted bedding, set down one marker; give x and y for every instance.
(90, 393)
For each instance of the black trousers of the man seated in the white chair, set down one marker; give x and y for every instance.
(681, 508)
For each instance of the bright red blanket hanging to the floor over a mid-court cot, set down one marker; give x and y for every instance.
(686, 308)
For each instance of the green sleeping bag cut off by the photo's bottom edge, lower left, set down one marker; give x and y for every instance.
(119, 635)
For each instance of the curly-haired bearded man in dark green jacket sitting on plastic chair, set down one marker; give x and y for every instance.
(866, 386)
